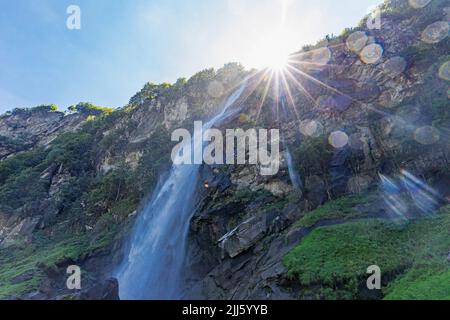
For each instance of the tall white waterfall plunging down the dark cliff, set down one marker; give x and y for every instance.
(153, 265)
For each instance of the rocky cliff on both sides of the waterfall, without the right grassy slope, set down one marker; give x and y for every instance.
(364, 101)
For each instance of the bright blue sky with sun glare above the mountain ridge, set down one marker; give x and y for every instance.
(124, 43)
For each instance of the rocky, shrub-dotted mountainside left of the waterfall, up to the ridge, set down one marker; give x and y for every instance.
(71, 199)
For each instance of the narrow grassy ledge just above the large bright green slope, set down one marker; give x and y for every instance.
(343, 208)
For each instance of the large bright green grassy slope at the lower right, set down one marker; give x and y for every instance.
(333, 260)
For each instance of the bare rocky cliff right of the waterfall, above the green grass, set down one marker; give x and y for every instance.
(240, 242)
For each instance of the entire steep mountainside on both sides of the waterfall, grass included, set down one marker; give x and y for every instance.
(364, 117)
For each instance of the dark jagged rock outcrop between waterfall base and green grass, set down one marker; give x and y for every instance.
(251, 267)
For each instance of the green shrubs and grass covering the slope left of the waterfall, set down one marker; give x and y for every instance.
(88, 210)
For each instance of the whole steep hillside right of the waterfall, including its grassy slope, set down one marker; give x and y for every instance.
(394, 111)
